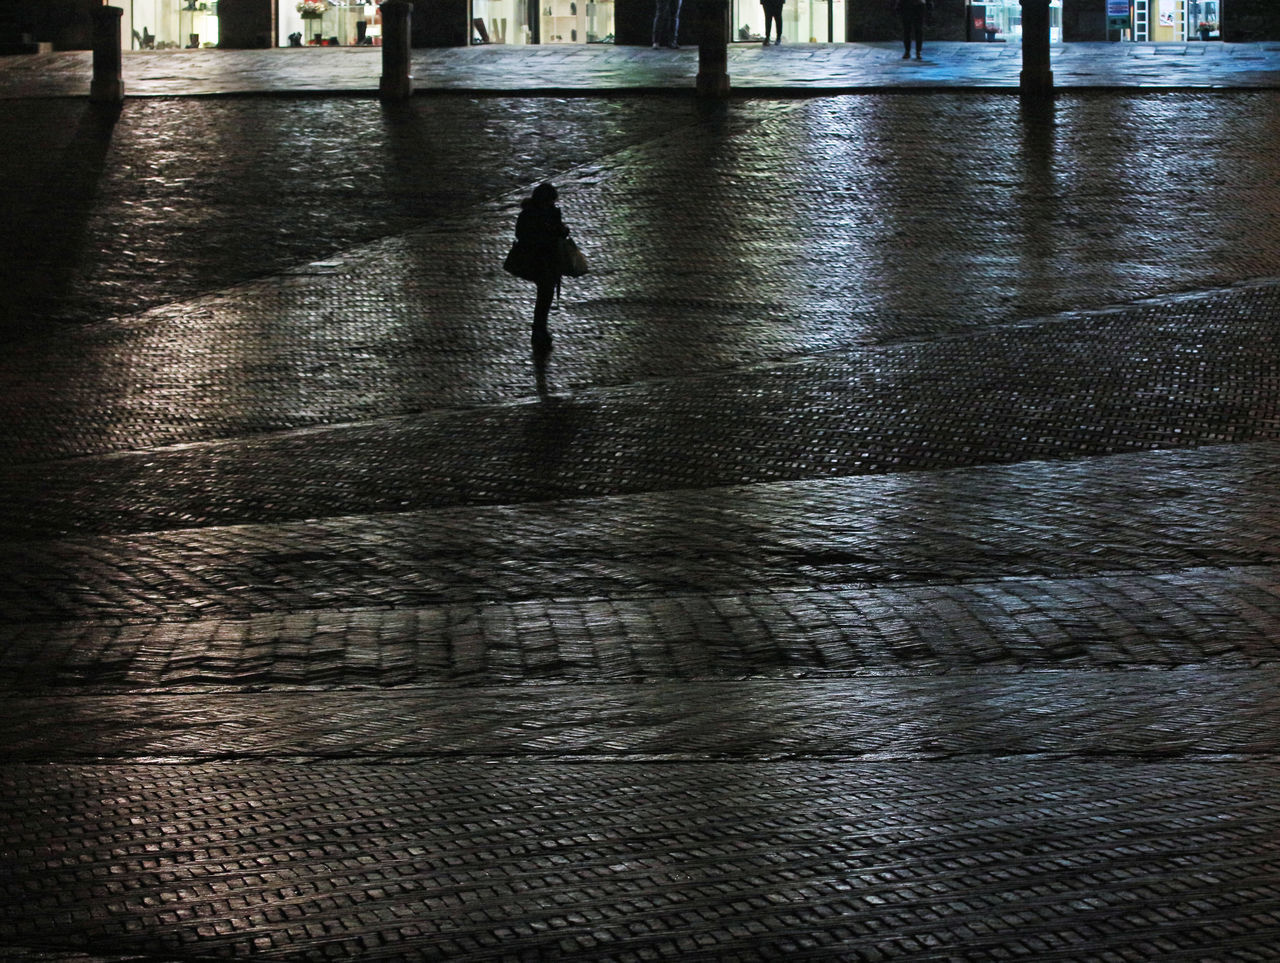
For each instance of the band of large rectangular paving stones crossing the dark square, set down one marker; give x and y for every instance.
(1209, 617)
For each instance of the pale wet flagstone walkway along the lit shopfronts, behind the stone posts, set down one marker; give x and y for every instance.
(586, 69)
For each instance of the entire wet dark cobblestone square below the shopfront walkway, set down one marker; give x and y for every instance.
(884, 565)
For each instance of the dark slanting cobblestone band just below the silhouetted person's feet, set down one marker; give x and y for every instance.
(1167, 375)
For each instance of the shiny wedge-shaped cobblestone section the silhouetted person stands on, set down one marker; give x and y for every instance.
(419, 321)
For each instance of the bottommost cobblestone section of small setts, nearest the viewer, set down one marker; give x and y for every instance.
(1082, 861)
